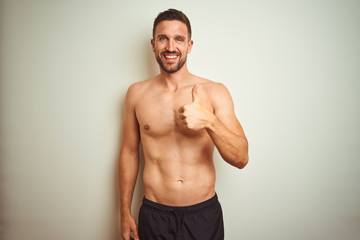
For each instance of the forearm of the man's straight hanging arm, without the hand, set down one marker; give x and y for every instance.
(128, 170)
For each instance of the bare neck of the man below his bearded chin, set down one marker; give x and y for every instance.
(173, 81)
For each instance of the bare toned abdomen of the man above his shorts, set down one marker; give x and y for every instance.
(179, 174)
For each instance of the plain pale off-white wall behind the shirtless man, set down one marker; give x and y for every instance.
(292, 67)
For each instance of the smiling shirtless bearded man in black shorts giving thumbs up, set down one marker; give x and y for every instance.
(179, 118)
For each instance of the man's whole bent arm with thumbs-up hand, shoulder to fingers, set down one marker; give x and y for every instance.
(222, 124)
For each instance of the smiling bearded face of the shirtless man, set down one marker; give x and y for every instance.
(171, 45)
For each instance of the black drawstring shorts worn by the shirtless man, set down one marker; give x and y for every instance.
(202, 221)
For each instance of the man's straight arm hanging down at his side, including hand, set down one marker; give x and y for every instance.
(128, 165)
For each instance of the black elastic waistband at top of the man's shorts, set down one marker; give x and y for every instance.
(167, 208)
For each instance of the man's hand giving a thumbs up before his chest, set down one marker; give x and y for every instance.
(194, 115)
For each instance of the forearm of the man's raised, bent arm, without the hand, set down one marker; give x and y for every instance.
(233, 148)
